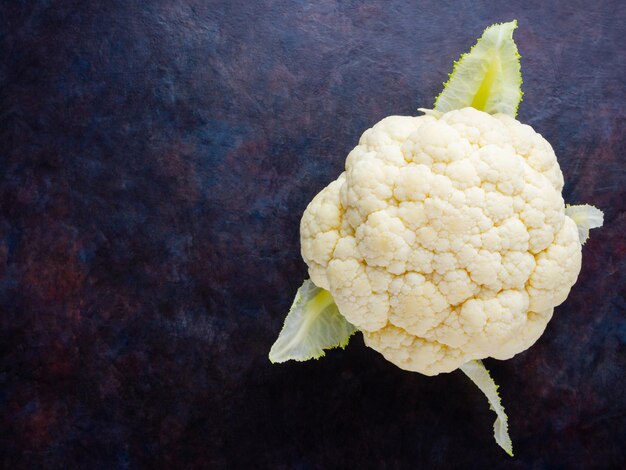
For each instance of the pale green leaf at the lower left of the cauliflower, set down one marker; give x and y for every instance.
(312, 325)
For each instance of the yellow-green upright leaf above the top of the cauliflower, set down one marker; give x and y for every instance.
(487, 78)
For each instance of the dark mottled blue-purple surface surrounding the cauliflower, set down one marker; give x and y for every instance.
(155, 159)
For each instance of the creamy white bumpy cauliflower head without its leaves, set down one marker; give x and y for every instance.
(445, 239)
